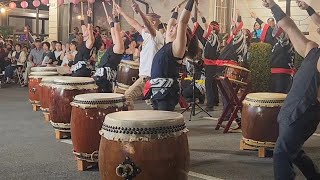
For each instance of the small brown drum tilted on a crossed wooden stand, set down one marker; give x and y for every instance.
(237, 74)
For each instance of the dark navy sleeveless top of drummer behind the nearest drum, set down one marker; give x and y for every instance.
(164, 64)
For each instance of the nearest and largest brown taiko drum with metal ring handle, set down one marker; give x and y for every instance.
(144, 145)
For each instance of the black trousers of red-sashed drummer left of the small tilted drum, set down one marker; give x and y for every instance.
(211, 86)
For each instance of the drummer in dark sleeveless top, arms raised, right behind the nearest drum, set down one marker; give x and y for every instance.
(180, 42)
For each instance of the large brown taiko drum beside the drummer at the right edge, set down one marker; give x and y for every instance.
(259, 118)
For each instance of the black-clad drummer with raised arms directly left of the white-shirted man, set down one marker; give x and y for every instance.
(107, 68)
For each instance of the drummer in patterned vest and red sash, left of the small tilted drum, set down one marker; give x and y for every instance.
(210, 41)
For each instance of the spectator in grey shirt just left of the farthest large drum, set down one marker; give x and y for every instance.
(34, 60)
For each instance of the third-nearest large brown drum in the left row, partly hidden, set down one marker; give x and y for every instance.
(63, 92)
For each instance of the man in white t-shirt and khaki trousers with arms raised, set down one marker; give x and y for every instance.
(153, 41)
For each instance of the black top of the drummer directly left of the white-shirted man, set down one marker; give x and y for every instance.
(110, 59)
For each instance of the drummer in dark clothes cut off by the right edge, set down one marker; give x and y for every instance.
(299, 116)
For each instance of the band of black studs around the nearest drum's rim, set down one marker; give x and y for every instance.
(157, 130)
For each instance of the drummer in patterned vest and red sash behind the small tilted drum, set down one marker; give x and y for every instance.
(234, 53)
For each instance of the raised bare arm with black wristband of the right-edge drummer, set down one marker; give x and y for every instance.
(301, 44)
